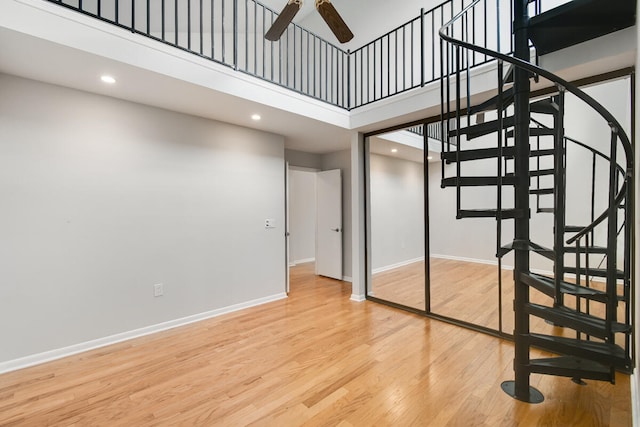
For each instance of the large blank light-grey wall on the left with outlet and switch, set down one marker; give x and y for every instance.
(104, 198)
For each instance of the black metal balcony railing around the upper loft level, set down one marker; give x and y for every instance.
(231, 33)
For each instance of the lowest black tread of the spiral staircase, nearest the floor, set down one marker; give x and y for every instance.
(572, 367)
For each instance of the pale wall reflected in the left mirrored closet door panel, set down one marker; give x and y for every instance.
(397, 211)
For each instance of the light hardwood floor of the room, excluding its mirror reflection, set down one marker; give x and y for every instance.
(316, 358)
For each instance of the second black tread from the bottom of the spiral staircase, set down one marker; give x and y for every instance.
(603, 352)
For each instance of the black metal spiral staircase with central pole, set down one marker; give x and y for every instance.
(581, 314)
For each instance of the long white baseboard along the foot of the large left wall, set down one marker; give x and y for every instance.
(48, 356)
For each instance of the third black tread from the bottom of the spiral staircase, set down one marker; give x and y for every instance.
(583, 322)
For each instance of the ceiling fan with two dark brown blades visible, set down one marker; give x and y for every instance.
(326, 10)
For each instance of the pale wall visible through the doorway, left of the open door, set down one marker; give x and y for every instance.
(302, 216)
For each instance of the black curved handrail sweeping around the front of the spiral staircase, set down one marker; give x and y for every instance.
(616, 128)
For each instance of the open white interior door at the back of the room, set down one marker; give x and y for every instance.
(329, 224)
